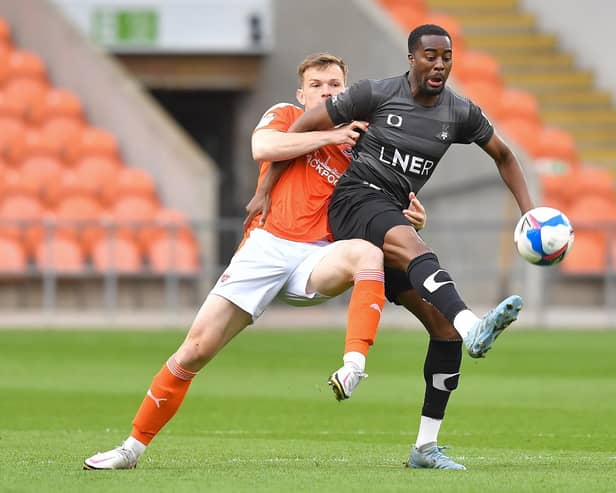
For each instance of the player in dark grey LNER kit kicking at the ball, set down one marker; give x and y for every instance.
(414, 118)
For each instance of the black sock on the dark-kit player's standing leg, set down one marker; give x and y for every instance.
(441, 372)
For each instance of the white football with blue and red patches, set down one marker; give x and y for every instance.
(543, 236)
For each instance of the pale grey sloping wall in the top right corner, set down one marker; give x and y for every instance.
(585, 29)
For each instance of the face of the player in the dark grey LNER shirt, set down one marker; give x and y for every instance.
(430, 65)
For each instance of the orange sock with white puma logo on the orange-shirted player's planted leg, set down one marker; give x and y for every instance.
(163, 399)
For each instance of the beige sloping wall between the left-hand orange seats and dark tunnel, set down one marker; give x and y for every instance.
(148, 138)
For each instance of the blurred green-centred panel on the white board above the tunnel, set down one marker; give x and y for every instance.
(127, 27)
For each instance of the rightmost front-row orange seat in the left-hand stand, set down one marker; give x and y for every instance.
(166, 255)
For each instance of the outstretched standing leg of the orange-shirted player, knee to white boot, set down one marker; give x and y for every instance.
(216, 323)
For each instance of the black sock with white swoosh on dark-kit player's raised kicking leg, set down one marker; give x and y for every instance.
(435, 285)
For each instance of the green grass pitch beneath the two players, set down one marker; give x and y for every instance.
(538, 414)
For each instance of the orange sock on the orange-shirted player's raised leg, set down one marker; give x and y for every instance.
(365, 309)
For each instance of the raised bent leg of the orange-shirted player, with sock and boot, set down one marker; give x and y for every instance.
(360, 263)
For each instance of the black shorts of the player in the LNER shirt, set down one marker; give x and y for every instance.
(365, 213)
